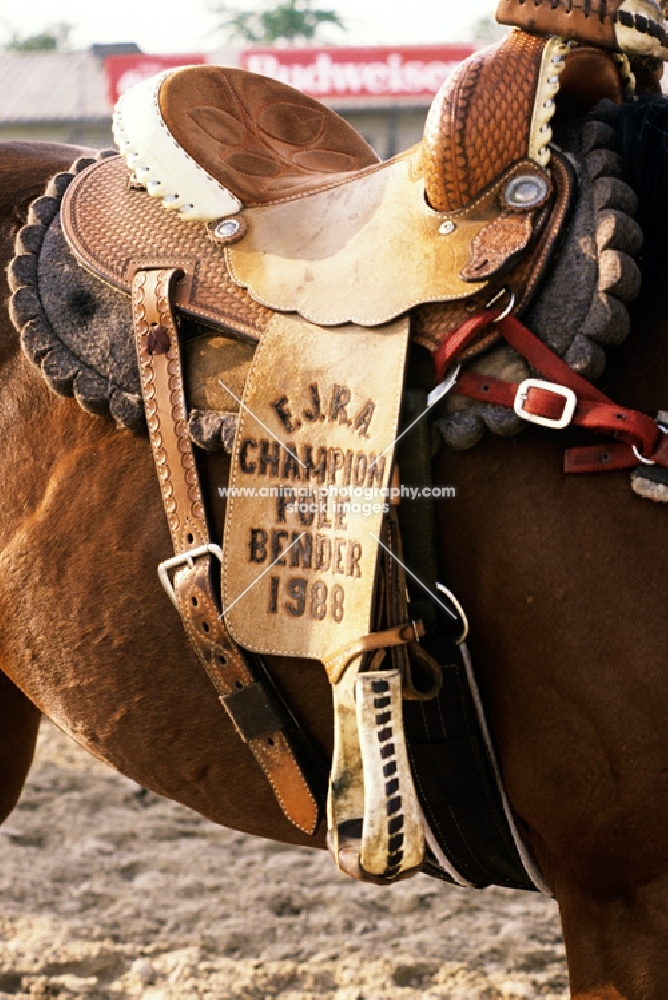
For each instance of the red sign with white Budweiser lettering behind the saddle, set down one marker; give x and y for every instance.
(415, 71)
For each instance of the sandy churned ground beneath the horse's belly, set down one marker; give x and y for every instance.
(111, 892)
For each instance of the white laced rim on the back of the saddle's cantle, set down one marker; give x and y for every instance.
(159, 163)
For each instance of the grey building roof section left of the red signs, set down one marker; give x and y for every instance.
(52, 87)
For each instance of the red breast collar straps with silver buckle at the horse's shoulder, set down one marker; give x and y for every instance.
(594, 409)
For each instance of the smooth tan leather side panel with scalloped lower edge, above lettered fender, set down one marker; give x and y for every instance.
(367, 250)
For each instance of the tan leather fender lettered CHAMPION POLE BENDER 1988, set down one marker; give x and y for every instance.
(320, 414)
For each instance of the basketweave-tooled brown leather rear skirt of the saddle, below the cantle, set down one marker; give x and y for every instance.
(114, 229)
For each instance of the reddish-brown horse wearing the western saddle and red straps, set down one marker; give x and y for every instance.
(562, 577)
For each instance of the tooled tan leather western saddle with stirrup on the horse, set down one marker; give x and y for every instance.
(284, 230)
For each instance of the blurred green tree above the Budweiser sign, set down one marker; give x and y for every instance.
(290, 21)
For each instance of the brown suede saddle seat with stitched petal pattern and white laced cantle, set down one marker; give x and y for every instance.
(245, 138)
